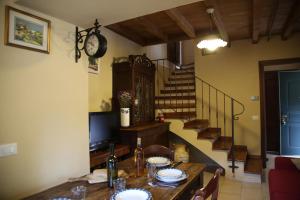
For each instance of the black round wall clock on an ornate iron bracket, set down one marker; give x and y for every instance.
(94, 44)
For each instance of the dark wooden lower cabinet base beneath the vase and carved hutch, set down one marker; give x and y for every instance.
(151, 133)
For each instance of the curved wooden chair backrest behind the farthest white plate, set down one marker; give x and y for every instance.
(158, 150)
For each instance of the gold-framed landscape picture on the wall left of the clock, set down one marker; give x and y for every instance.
(27, 31)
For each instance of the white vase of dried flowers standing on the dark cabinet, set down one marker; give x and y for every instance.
(125, 103)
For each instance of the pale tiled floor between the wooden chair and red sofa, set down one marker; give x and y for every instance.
(236, 190)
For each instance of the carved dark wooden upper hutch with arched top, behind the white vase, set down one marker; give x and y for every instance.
(137, 76)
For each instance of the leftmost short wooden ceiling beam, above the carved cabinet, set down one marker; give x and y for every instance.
(151, 28)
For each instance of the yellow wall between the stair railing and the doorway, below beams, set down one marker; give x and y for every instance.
(235, 71)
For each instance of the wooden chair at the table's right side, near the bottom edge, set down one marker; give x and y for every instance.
(212, 188)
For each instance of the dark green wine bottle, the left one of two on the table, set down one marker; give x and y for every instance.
(112, 170)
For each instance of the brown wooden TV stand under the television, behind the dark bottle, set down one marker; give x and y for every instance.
(98, 157)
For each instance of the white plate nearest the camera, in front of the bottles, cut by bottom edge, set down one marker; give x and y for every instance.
(132, 194)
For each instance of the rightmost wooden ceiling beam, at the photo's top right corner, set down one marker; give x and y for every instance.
(291, 19)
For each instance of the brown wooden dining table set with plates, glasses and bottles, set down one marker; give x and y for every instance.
(100, 191)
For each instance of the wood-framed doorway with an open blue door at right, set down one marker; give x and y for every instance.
(277, 136)
